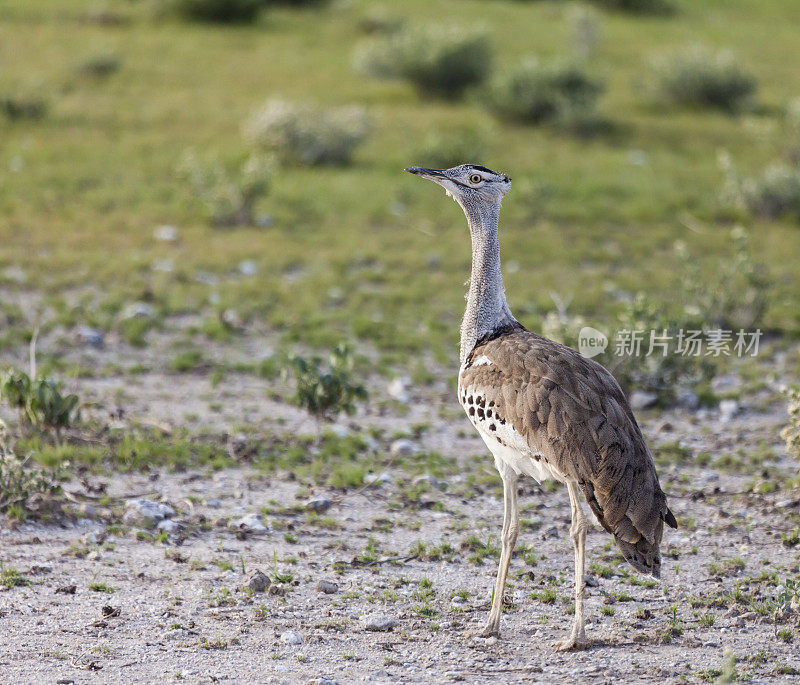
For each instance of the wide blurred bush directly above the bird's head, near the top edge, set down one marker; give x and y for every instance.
(438, 61)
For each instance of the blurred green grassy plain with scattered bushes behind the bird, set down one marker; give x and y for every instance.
(240, 162)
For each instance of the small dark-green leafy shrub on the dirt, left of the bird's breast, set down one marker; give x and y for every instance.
(326, 390)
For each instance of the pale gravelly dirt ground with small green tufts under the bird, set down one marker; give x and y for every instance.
(112, 603)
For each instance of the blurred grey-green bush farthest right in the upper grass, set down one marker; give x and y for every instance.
(699, 77)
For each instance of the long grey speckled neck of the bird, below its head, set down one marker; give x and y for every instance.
(487, 308)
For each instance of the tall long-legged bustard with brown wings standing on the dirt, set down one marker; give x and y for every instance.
(546, 411)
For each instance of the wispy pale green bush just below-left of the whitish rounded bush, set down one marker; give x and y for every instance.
(230, 192)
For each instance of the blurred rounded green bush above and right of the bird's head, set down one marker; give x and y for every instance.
(538, 92)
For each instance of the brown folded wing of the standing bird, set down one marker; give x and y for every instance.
(573, 411)
